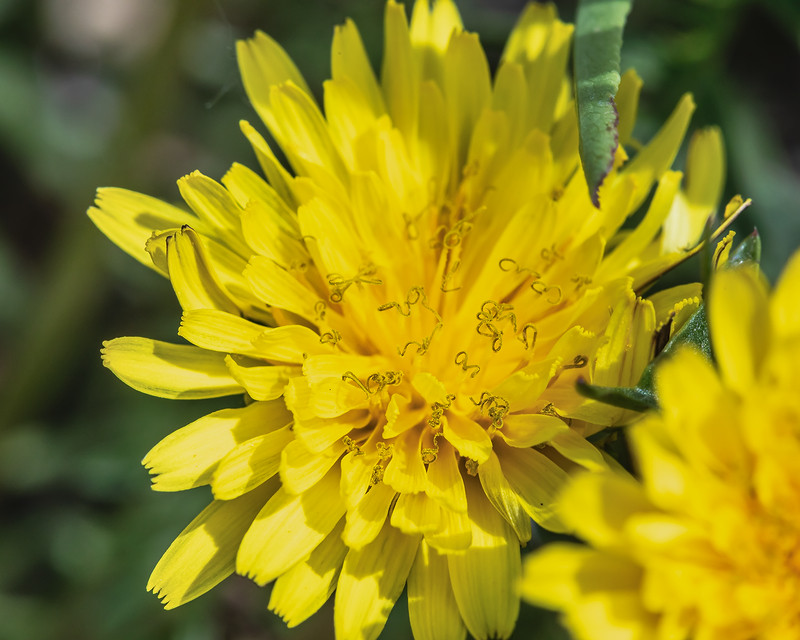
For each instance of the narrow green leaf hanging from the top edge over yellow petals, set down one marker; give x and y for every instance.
(598, 40)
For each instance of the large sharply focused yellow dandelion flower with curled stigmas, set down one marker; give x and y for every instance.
(406, 310)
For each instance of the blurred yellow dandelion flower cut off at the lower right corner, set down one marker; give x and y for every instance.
(708, 546)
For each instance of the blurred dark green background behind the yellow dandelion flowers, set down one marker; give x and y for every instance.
(136, 93)
